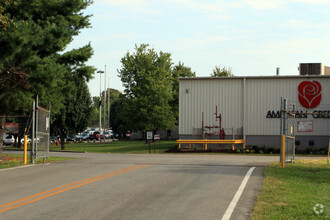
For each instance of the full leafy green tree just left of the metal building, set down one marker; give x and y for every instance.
(147, 78)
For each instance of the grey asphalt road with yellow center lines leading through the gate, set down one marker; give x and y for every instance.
(127, 186)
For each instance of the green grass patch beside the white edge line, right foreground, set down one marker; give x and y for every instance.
(294, 191)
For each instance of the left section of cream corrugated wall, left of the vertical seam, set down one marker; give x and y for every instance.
(197, 97)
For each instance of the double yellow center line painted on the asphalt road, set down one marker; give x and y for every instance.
(58, 190)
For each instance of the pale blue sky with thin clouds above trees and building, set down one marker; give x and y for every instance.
(252, 37)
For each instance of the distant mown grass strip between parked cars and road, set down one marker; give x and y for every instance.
(134, 147)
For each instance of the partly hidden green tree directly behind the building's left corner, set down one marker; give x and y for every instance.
(178, 71)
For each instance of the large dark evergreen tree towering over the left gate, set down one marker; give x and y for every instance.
(32, 60)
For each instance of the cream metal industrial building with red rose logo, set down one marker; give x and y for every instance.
(250, 108)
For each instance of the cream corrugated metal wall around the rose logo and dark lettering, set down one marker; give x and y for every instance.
(262, 94)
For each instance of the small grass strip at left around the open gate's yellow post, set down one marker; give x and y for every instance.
(9, 160)
